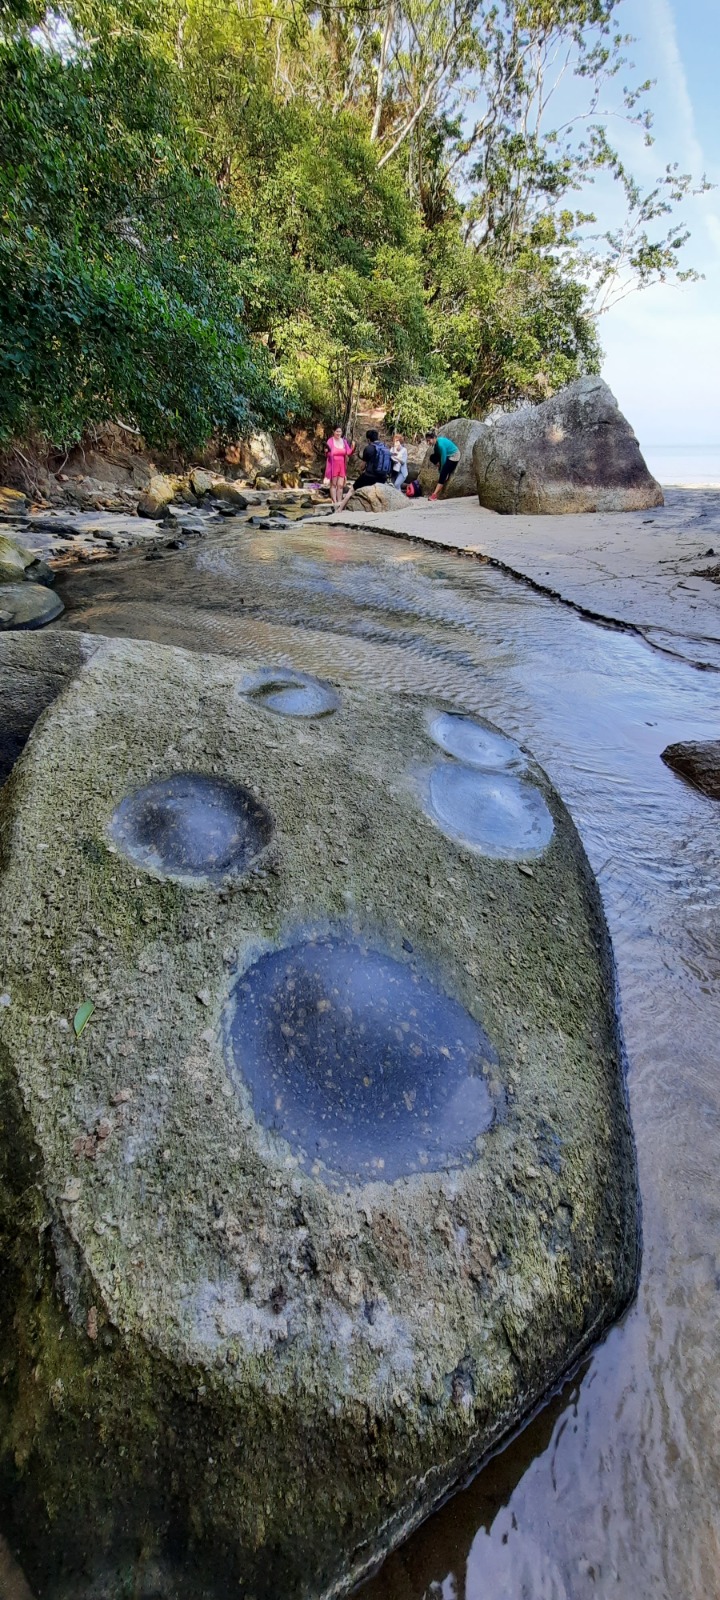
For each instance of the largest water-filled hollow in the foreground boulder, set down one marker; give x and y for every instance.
(359, 1062)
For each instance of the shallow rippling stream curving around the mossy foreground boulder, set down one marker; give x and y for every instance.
(614, 1490)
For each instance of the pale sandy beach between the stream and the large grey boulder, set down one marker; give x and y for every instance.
(638, 570)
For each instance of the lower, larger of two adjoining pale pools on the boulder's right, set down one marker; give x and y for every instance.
(495, 814)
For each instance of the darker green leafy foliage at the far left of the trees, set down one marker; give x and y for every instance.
(121, 268)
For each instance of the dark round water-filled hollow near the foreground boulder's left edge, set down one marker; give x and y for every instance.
(193, 826)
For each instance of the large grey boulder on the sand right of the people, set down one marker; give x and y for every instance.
(574, 454)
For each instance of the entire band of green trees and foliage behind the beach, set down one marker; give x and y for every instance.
(217, 215)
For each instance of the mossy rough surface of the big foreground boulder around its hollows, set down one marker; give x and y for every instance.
(230, 1362)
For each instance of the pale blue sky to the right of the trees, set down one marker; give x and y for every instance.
(663, 346)
